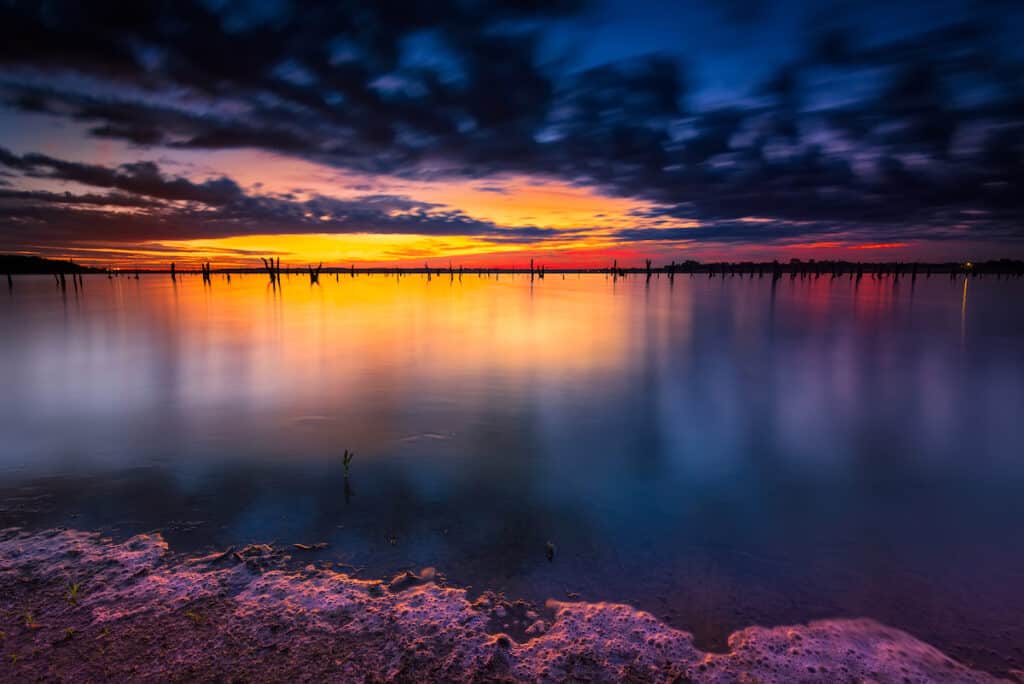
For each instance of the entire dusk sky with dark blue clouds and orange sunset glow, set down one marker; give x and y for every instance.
(394, 133)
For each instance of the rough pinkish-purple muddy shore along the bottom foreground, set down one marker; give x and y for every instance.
(77, 608)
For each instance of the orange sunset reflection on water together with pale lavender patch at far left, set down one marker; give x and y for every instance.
(366, 356)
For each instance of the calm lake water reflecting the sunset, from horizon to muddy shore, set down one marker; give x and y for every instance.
(720, 453)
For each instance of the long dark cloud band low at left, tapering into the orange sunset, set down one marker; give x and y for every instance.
(169, 208)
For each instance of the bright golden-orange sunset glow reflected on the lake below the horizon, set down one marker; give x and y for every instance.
(248, 343)
